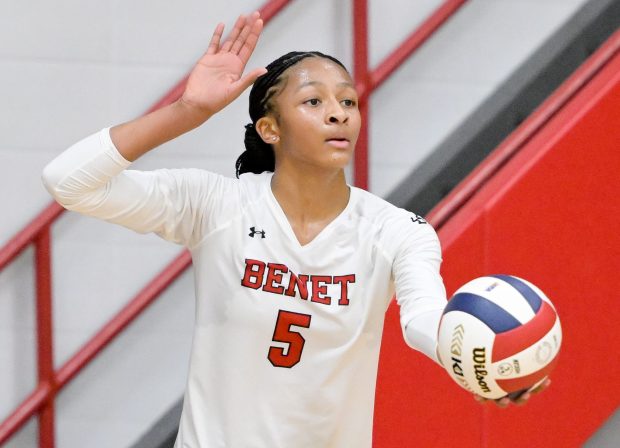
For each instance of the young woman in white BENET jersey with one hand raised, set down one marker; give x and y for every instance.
(294, 269)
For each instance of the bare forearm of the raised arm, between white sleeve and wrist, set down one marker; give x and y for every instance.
(136, 137)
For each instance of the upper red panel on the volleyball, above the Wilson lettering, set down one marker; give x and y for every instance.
(514, 341)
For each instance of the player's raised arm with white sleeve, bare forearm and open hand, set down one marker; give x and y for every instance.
(90, 176)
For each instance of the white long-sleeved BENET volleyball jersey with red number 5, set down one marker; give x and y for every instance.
(287, 336)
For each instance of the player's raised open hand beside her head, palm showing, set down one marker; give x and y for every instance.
(217, 79)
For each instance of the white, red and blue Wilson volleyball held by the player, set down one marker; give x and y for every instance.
(499, 335)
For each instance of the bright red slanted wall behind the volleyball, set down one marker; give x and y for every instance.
(552, 216)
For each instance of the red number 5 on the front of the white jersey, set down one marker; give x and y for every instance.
(294, 339)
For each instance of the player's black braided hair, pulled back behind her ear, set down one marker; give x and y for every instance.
(258, 155)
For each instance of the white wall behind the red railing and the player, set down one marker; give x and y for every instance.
(68, 68)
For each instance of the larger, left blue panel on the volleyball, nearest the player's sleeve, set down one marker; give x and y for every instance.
(494, 316)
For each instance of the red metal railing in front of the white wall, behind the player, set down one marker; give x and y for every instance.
(37, 232)
